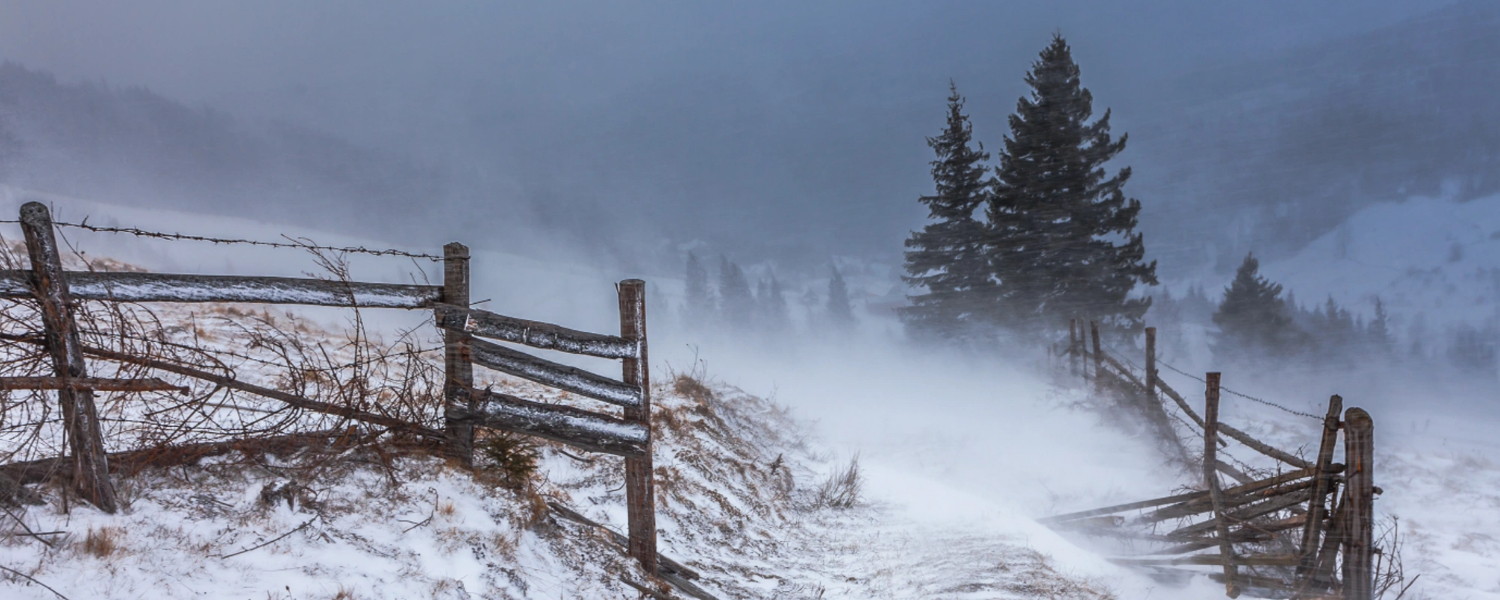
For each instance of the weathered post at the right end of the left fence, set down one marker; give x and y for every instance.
(640, 487)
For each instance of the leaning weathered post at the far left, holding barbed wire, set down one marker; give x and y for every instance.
(80, 416)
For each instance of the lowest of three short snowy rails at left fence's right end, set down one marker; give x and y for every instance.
(568, 425)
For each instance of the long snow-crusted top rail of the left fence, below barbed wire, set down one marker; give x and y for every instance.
(194, 289)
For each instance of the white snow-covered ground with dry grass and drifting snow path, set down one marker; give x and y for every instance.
(959, 457)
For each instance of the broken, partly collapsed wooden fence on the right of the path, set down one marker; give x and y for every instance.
(1304, 533)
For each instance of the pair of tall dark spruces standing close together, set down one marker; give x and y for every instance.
(1040, 236)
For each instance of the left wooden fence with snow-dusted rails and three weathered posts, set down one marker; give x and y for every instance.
(466, 407)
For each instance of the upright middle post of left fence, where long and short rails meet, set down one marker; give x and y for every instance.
(458, 370)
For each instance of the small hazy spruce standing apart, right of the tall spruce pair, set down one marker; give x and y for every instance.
(1253, 319)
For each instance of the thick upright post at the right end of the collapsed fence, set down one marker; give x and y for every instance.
(1360, 493)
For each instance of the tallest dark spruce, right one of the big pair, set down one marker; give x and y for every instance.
(1063, 233)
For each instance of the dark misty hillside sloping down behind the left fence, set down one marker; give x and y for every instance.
(134, 146)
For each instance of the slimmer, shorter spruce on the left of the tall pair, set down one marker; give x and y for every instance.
(947, 263)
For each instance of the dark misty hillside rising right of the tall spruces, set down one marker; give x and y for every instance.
(1277, 152)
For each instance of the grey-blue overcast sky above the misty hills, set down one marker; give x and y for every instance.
(797, 125)
